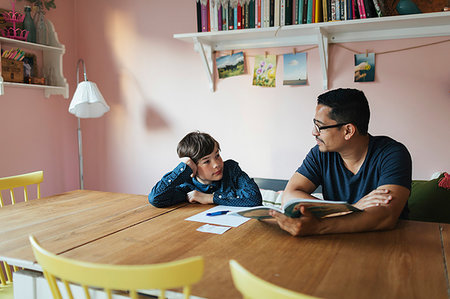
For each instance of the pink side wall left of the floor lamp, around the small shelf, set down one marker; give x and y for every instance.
(38, 133)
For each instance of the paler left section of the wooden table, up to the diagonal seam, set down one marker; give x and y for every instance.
(68, 220)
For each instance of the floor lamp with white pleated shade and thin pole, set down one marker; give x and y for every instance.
(87, 102)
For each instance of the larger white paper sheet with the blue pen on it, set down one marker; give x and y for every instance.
(226, 220)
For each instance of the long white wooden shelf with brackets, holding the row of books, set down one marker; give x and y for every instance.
(321, 34)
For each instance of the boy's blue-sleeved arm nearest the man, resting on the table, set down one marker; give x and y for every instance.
(238, 190)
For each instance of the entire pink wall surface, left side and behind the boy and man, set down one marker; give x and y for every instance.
(158, 91)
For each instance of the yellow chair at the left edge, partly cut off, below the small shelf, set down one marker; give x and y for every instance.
(9, 183)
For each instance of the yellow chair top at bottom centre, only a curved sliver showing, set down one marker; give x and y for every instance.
(253, 287)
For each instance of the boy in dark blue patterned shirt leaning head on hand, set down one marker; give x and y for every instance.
(207, 179)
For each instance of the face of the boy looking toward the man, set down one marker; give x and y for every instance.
(210, 167)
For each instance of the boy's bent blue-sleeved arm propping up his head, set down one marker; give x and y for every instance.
(166, 192)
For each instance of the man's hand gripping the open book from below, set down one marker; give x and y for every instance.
(306, 225)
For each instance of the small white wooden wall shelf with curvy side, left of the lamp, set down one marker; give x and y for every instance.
(52, 55)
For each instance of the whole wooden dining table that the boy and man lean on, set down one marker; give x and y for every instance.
(407, 262)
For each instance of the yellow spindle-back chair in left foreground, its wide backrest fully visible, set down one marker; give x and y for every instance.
(182, 273)
